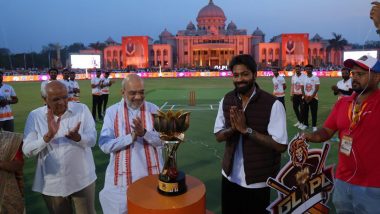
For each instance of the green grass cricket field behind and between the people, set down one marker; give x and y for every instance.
(200, 155)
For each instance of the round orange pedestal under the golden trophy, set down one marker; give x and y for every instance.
(144, 198)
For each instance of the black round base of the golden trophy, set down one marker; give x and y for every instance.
(173, 187)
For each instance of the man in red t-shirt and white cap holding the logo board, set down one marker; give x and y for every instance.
(356, 119)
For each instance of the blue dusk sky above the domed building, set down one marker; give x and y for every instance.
(29, 24)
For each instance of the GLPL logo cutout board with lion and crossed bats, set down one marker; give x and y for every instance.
(303, 184)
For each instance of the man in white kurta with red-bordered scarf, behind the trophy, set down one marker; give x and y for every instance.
(134, 147)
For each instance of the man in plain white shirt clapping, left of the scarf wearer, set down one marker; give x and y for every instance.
(61, 135)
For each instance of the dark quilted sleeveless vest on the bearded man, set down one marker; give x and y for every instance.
(260, 162)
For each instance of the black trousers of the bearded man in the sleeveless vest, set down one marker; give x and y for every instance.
(240, 200)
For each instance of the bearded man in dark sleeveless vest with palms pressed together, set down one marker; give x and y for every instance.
(252, 122)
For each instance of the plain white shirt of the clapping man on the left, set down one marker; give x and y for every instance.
(63, 166)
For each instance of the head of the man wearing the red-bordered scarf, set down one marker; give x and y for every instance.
(133, 90)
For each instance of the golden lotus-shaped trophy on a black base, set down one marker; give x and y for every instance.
(171, 126)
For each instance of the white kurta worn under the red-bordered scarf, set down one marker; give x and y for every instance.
(113, 197)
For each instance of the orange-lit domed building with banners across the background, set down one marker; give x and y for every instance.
(211, 43)
